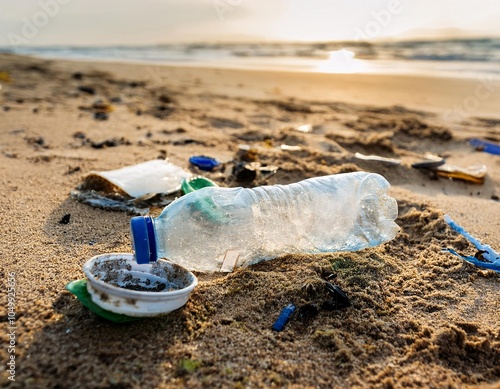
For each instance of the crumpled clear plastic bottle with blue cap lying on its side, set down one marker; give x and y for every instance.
(215, 229)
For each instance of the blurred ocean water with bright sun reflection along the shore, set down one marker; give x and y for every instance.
(443, 58)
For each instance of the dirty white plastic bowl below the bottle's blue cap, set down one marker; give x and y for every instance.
(112, 278)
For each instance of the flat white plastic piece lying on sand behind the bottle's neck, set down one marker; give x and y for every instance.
(156, 176)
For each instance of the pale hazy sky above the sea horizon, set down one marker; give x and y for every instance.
(136, 22)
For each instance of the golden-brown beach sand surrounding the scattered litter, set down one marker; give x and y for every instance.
(419, 317)
